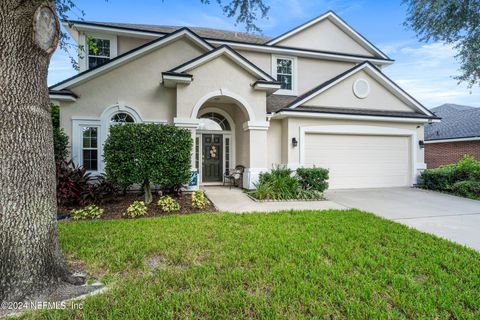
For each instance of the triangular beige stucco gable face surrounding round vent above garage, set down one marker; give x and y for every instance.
(341, 96)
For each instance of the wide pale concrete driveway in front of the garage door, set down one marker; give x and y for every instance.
(450, 217)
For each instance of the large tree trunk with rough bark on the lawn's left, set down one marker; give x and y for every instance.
(30, 257)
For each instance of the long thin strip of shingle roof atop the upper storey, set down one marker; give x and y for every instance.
(202, 32)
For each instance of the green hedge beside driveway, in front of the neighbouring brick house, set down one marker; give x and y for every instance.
(461, 178)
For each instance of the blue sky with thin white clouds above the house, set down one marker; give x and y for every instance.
(424, 70)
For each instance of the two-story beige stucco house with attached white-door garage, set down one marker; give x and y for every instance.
(313, 96)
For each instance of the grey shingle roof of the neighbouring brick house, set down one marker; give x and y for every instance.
(457, 122)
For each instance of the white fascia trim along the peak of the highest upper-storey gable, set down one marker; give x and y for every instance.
(339, 23)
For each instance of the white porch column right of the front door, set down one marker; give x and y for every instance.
(257, 136)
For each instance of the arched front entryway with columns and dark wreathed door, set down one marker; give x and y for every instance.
(227, 132)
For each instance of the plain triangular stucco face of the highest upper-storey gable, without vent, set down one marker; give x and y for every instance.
(325, 36)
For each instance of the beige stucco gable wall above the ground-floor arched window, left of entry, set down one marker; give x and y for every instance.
(136, 84)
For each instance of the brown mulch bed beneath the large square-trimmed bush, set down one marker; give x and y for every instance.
(114, 209)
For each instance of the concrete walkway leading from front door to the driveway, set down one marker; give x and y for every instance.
(235, 200)
